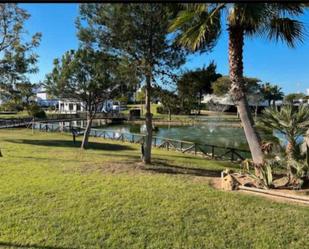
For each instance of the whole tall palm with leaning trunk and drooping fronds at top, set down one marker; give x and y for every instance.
(199, 26)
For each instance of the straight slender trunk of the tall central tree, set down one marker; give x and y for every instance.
(148, 120)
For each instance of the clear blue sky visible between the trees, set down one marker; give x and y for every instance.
(268, 61)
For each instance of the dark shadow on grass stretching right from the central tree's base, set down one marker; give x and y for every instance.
(165, 167)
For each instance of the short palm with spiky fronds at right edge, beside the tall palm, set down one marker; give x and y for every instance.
(293, 123)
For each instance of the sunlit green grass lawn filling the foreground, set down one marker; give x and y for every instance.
(53, 195)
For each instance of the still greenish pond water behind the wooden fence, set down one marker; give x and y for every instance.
(211, 131)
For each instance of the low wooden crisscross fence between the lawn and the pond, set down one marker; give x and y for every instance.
(205, 150)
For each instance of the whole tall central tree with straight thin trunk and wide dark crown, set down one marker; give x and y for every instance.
(139, 33)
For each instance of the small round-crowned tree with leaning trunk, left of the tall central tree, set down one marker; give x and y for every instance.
(87, 76)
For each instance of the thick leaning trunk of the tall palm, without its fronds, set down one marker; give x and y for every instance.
(236, 43)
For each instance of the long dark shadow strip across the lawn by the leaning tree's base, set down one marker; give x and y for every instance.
(66, 143)
